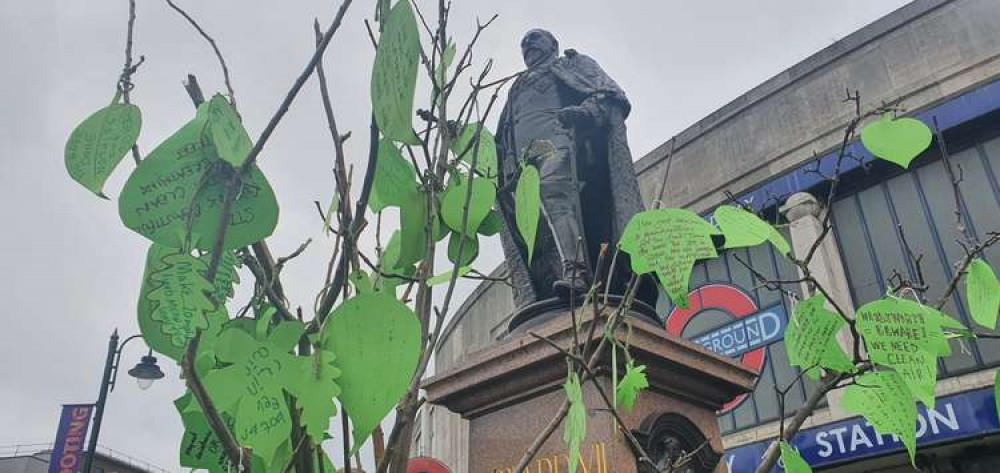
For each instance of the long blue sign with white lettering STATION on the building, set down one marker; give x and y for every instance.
(954, 417)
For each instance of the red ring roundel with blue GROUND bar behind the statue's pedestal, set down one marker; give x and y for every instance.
(746, 338)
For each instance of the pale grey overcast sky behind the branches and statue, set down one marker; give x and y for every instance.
(71, 271)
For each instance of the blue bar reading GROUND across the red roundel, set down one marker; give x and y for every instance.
(747, 333)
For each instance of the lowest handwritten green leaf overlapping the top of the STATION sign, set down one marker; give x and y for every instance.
(885, 401)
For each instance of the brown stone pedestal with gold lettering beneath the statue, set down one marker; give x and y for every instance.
(511, 391)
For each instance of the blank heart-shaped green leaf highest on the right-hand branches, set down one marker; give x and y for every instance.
(898, 141)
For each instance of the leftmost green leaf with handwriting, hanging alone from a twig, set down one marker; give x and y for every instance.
(99, 143)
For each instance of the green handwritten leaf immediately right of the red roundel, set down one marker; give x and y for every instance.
(811, 338)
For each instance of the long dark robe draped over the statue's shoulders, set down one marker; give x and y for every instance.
(609, 190)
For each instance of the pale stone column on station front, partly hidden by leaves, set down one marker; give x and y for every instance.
(805, 216)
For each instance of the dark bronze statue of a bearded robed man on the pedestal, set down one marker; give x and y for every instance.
(589, 189)
